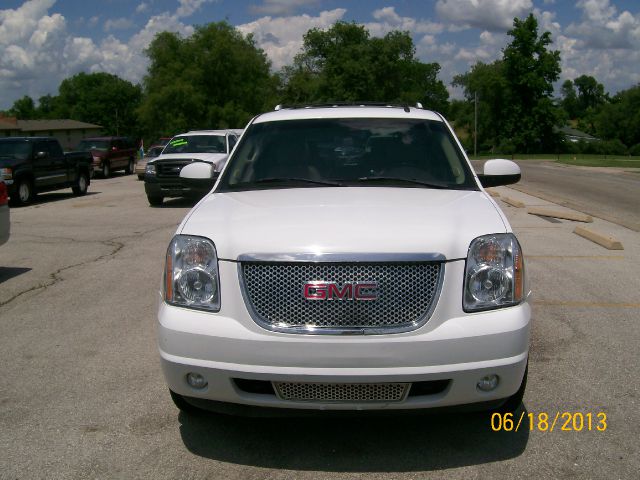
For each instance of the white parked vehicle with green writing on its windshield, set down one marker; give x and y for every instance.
(162, 174)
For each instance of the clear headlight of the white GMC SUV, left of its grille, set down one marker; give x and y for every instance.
(191, 273)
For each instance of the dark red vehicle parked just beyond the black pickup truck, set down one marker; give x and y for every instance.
(110, 154)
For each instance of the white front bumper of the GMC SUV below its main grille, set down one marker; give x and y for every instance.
(461, 349)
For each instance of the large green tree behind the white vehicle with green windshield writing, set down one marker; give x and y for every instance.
(217, 78)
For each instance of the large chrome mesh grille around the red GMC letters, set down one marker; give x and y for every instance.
(406, 294)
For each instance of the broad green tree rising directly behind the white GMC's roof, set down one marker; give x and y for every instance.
(346, 64)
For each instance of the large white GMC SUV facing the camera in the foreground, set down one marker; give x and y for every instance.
(347, 258)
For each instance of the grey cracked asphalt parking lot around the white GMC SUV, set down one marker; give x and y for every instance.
(82, 394)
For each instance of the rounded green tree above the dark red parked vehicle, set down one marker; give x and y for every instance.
(100, 98)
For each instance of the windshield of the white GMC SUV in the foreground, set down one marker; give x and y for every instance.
(348, 152)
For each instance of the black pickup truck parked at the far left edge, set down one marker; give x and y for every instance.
(30, 165)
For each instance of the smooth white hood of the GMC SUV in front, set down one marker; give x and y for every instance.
(344, 220)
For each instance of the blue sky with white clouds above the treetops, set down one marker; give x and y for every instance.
(44, 41)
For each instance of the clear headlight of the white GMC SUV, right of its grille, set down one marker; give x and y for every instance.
(494, 276)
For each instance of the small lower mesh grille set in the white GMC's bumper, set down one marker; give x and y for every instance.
(341, 392)
